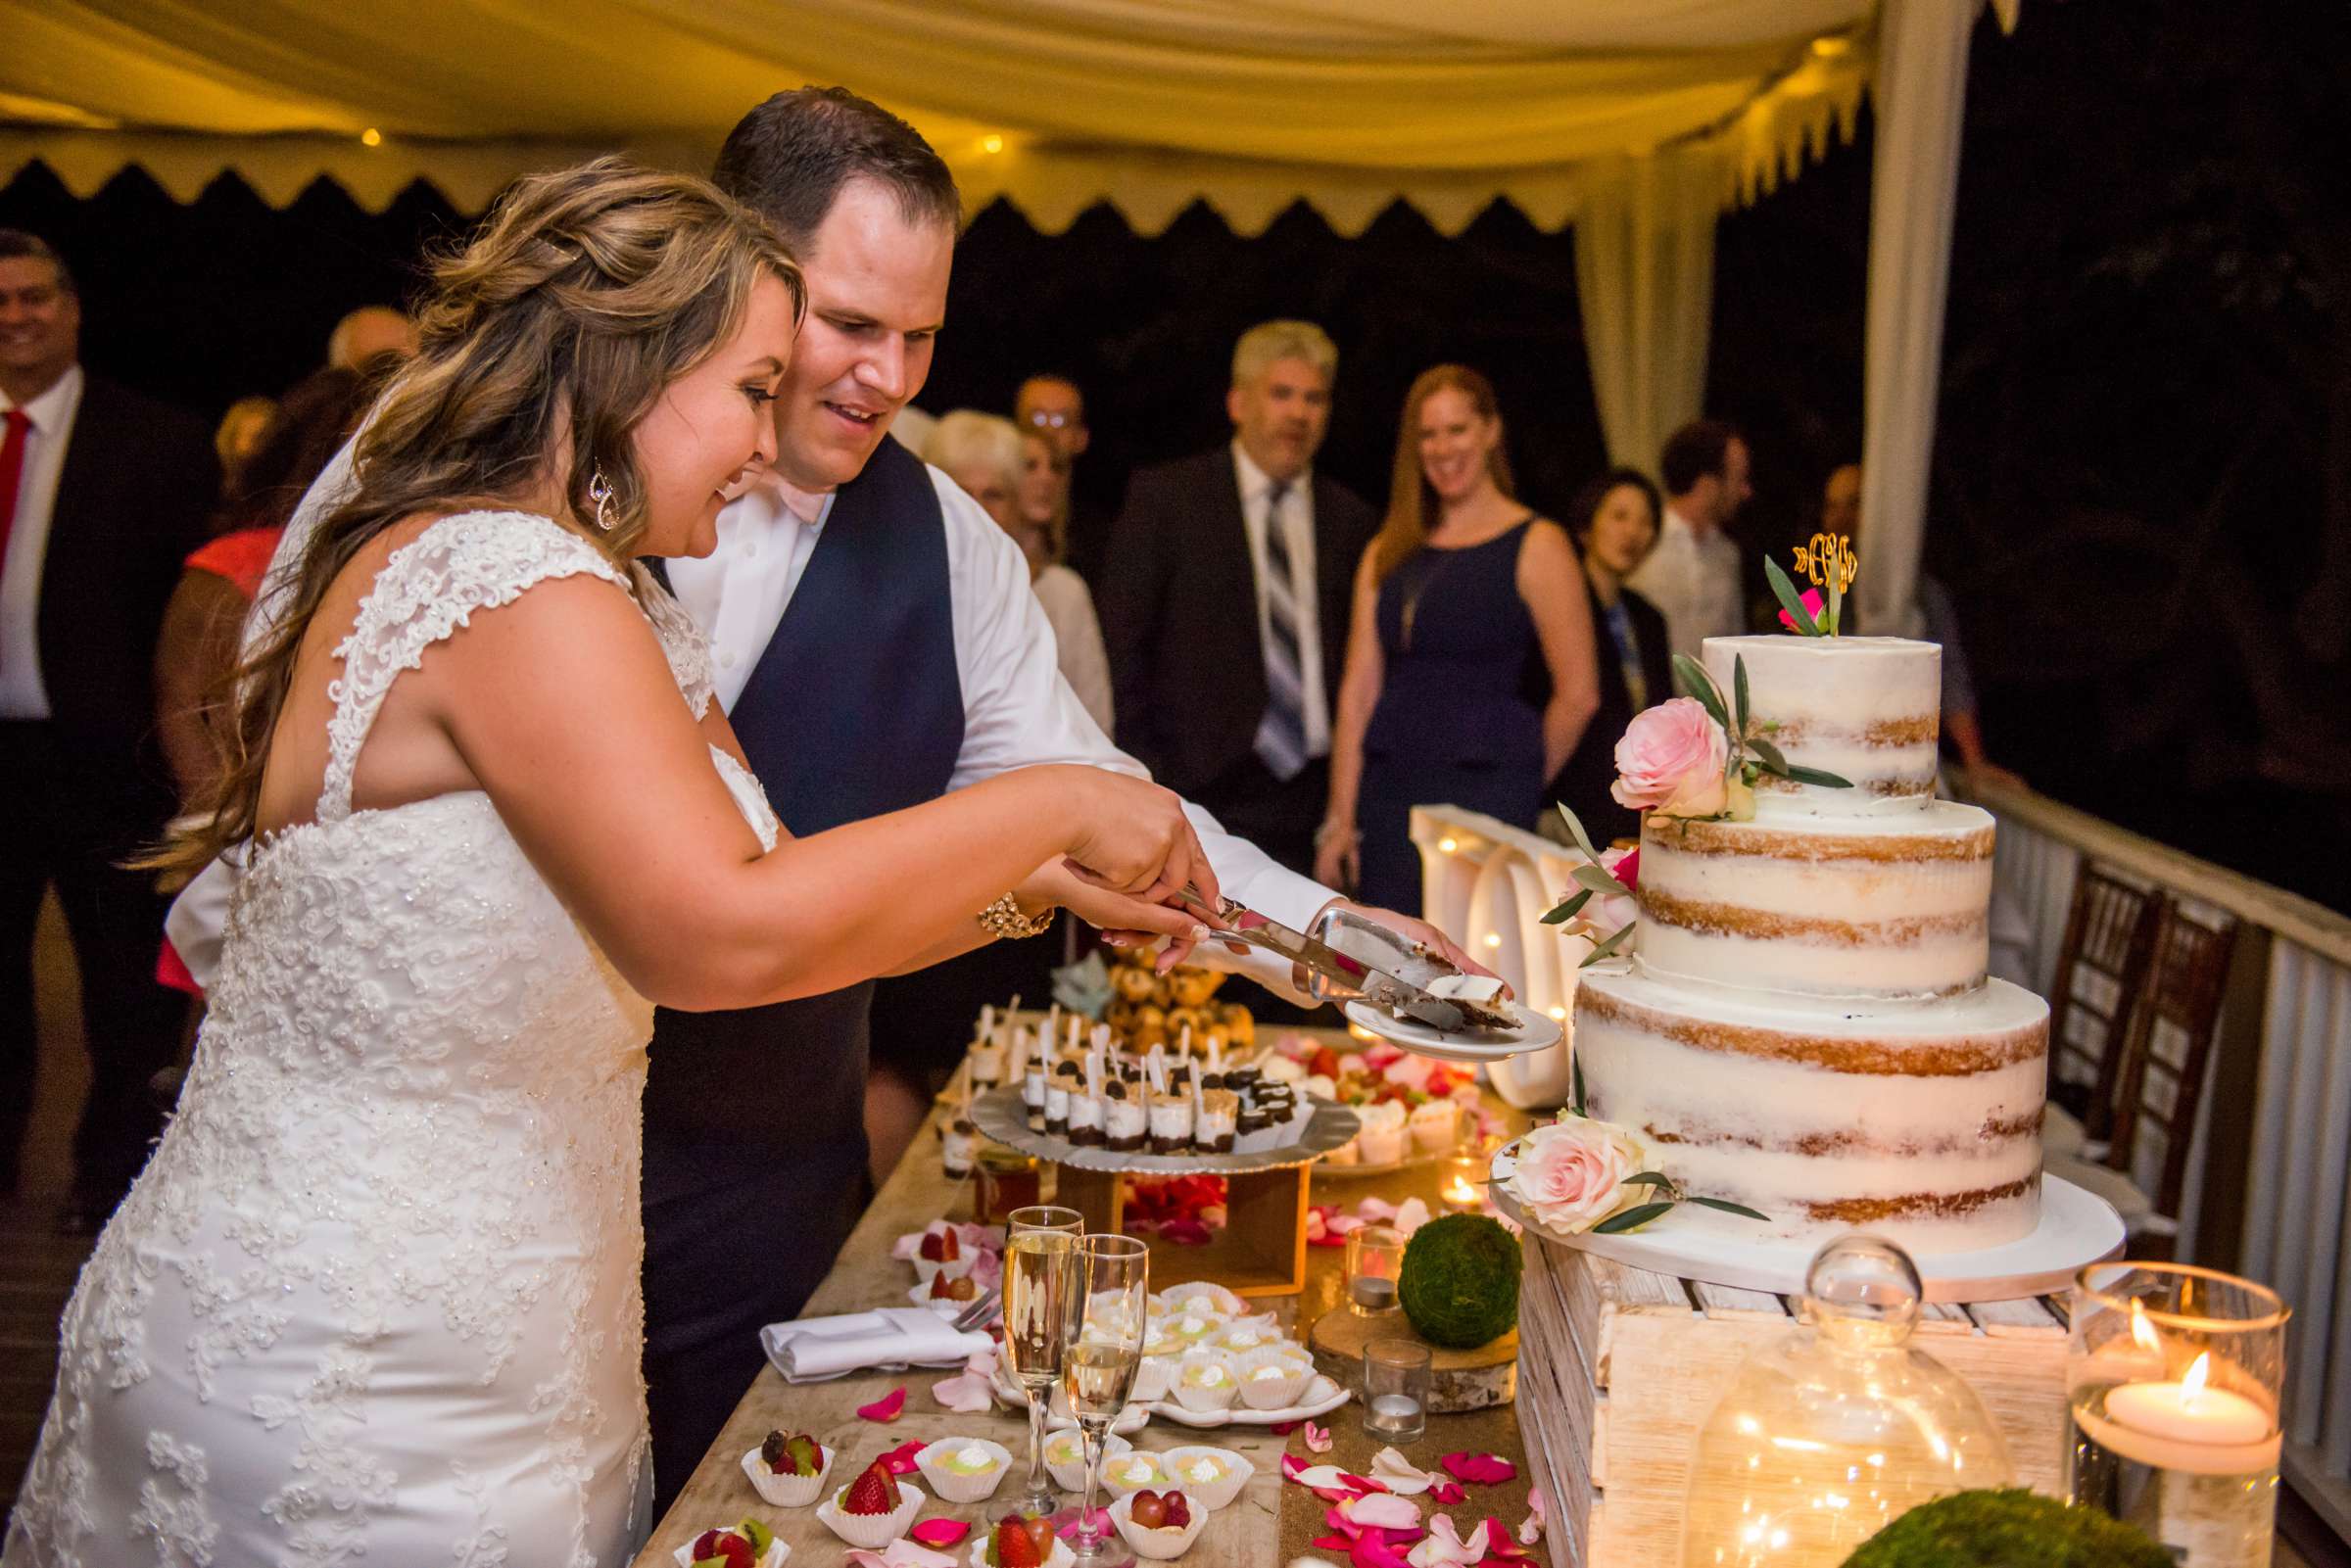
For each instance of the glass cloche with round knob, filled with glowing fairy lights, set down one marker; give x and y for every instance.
(1837, 1428)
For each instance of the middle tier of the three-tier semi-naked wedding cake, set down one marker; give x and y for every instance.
(1887, 906)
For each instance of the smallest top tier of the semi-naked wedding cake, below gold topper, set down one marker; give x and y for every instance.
(1863, 709)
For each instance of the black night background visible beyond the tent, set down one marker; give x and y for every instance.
(2143, 471)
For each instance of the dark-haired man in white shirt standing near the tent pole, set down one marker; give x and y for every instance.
(1699, 572)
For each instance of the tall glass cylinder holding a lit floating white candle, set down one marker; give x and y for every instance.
(2173, 1383)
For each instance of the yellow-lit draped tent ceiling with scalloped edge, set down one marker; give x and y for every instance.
(1054, 105)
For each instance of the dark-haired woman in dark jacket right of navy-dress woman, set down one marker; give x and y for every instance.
(1616, 528)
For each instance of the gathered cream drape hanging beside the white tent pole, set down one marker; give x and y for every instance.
(1645, 276)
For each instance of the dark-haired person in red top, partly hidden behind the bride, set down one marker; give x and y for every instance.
(206, 617)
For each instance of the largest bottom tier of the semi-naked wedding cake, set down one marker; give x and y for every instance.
(1913, 1120)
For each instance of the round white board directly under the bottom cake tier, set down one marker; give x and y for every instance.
(2075, 1228)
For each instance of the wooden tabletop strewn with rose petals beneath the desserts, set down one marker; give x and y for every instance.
(1254, 1529)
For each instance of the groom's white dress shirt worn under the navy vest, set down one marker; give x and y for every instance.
(1017, 706)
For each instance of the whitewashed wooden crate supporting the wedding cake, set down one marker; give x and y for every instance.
(1619, 1369)
